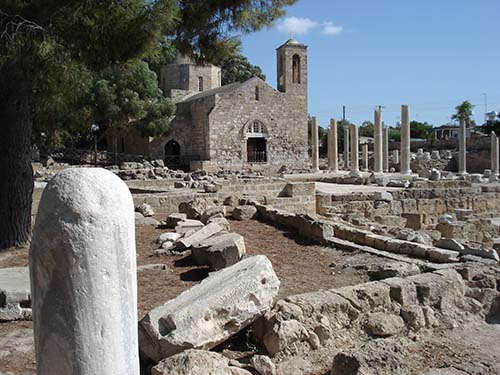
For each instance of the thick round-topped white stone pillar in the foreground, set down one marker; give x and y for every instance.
(83, 276)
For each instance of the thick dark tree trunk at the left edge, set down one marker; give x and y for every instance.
(16, 174)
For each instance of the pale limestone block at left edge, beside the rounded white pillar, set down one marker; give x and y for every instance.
(15, 296)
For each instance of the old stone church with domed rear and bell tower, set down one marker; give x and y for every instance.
(237, 126)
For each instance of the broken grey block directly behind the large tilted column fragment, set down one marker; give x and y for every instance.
(219, 252)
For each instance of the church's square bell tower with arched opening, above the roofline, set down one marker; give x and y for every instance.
(292, 68)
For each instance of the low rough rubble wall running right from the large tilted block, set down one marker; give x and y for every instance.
(391, 307)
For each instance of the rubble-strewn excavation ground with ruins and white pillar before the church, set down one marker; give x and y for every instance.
(163, 271)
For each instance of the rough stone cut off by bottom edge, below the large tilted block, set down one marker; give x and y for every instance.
(196, 362)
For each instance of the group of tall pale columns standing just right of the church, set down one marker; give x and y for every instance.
(351, 146)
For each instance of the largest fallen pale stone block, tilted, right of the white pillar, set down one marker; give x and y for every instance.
(210, 312)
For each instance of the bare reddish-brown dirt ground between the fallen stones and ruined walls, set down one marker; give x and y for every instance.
(301, 267)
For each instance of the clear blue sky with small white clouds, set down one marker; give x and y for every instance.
(431, 55)
